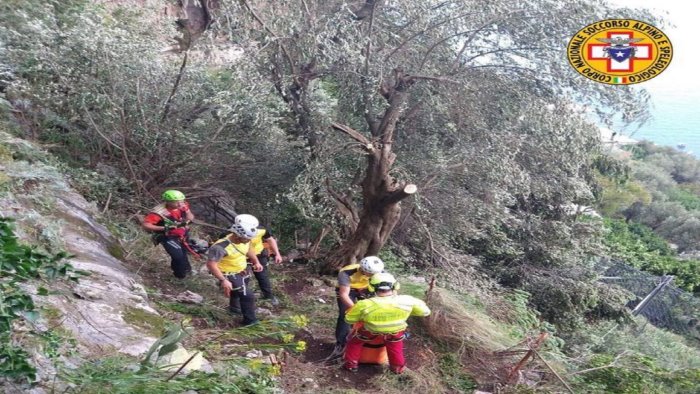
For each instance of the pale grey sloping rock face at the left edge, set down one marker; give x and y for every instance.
(105, 311)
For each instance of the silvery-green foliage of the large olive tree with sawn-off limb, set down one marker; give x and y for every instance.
(495, 128)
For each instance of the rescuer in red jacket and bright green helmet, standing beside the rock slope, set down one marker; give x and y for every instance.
(168, 222)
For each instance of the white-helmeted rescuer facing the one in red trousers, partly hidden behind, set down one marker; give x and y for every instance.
(353, 281)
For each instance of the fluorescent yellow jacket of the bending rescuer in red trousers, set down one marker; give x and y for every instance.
(388, 314)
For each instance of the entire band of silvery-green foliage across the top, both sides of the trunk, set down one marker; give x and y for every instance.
(486, 116)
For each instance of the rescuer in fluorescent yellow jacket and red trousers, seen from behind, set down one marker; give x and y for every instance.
(382, 316)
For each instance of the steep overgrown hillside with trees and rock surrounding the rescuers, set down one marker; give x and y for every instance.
(350, 129)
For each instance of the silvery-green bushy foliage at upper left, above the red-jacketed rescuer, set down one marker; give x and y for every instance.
(93, 84)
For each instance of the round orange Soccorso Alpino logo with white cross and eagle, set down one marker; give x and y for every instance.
(620, 51)
